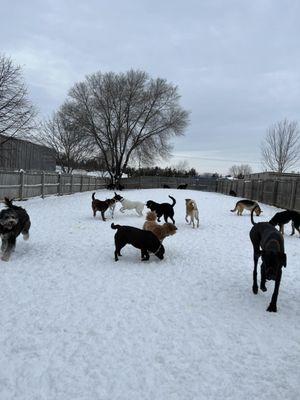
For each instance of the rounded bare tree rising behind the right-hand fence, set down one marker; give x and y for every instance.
(281, 147)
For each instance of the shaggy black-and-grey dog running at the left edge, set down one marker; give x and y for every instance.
(13, 221)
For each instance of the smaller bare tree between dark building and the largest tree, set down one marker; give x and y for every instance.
(60, 134)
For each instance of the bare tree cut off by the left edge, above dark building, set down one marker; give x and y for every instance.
(16, 111)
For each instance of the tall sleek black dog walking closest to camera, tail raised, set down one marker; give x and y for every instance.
(268, 243)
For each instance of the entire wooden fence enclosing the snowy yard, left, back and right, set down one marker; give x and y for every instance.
(283, 193)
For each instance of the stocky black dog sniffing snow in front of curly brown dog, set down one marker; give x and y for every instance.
(144, 240)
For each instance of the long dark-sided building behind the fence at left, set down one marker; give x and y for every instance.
(18, 154)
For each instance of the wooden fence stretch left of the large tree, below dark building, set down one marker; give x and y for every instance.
(22, 185)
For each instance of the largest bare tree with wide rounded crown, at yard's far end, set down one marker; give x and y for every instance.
(127, 115)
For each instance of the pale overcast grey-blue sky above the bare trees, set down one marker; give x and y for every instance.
(236, 63)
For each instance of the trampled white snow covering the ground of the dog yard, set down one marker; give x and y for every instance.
(75, 324)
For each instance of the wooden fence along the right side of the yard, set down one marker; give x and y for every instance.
(283, 193)
